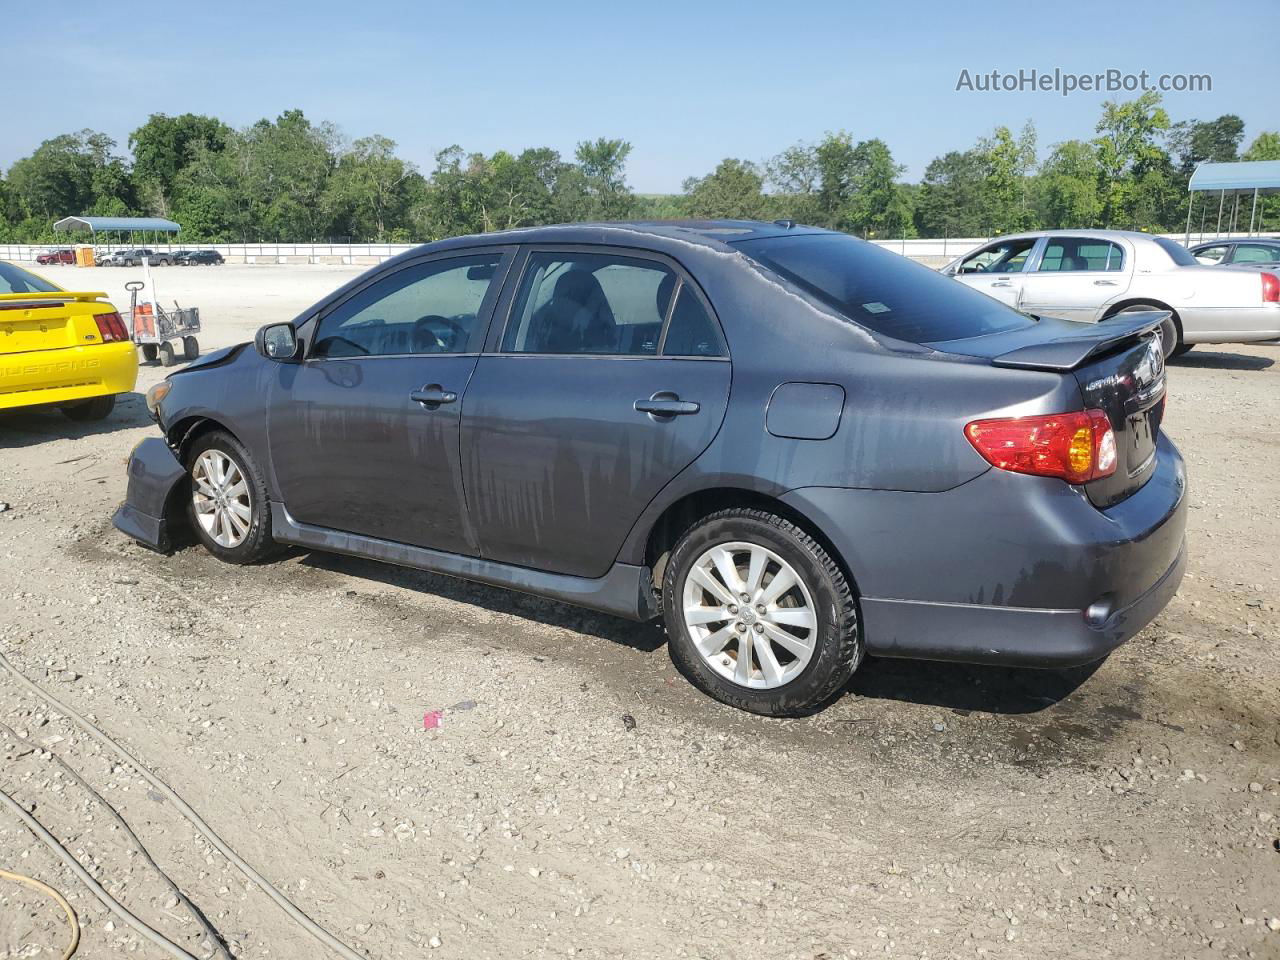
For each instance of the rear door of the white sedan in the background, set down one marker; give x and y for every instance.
(1077, 277)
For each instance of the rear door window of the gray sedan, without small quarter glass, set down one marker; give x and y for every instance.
(601, 304)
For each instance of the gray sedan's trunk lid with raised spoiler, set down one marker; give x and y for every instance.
(1121, 369)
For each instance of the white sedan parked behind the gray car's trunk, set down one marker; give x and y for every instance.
(1096, 275)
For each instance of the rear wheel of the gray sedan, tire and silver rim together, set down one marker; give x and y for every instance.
(760, 616)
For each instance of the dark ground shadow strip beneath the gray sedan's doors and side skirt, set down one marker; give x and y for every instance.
(647, 638)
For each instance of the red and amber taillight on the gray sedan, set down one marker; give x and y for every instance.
(1076, 447)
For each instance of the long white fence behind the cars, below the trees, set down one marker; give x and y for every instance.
(931, 252)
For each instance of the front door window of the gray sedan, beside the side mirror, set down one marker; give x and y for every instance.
(429, 308)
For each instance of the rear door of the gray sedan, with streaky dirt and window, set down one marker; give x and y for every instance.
(609, 378)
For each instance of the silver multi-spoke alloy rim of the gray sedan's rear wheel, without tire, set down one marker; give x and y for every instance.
(751, 615)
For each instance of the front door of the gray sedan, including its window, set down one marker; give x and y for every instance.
(364, 432)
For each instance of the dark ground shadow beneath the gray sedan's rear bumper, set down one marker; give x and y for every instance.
(964, 687)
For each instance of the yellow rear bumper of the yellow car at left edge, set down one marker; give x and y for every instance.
(68, 374)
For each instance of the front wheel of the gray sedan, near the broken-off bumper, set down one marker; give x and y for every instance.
(228, 505)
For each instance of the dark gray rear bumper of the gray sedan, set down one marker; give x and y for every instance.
(1008, 569)
